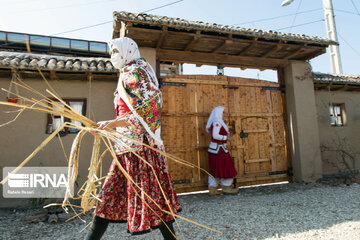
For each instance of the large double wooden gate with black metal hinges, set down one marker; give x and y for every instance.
(254, 113)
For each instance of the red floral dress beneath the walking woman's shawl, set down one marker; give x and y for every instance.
(121, 200)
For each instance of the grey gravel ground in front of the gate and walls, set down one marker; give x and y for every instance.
(284, 211)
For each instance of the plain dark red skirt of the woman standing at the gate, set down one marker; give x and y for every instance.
(221, 165)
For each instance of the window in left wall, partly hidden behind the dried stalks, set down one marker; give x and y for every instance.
(55, 121)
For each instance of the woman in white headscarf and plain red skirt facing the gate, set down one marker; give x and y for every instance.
(221, 166)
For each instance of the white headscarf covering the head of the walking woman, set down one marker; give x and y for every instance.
(128, 51)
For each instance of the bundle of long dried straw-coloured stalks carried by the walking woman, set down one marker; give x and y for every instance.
(88, 192)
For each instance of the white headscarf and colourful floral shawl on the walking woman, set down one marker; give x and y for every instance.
(138, 86)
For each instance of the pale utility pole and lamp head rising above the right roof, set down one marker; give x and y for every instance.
(335, 60)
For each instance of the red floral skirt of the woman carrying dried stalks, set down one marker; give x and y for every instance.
(122, 201)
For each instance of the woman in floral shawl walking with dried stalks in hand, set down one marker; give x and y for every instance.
(137, 102)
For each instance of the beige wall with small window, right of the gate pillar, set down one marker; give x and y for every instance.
(334, 140)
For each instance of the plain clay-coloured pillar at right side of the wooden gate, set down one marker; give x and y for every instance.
(302, 122)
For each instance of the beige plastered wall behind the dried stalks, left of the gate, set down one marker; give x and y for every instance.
(20, 138)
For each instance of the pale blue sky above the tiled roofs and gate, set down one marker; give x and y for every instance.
(54, 17)
